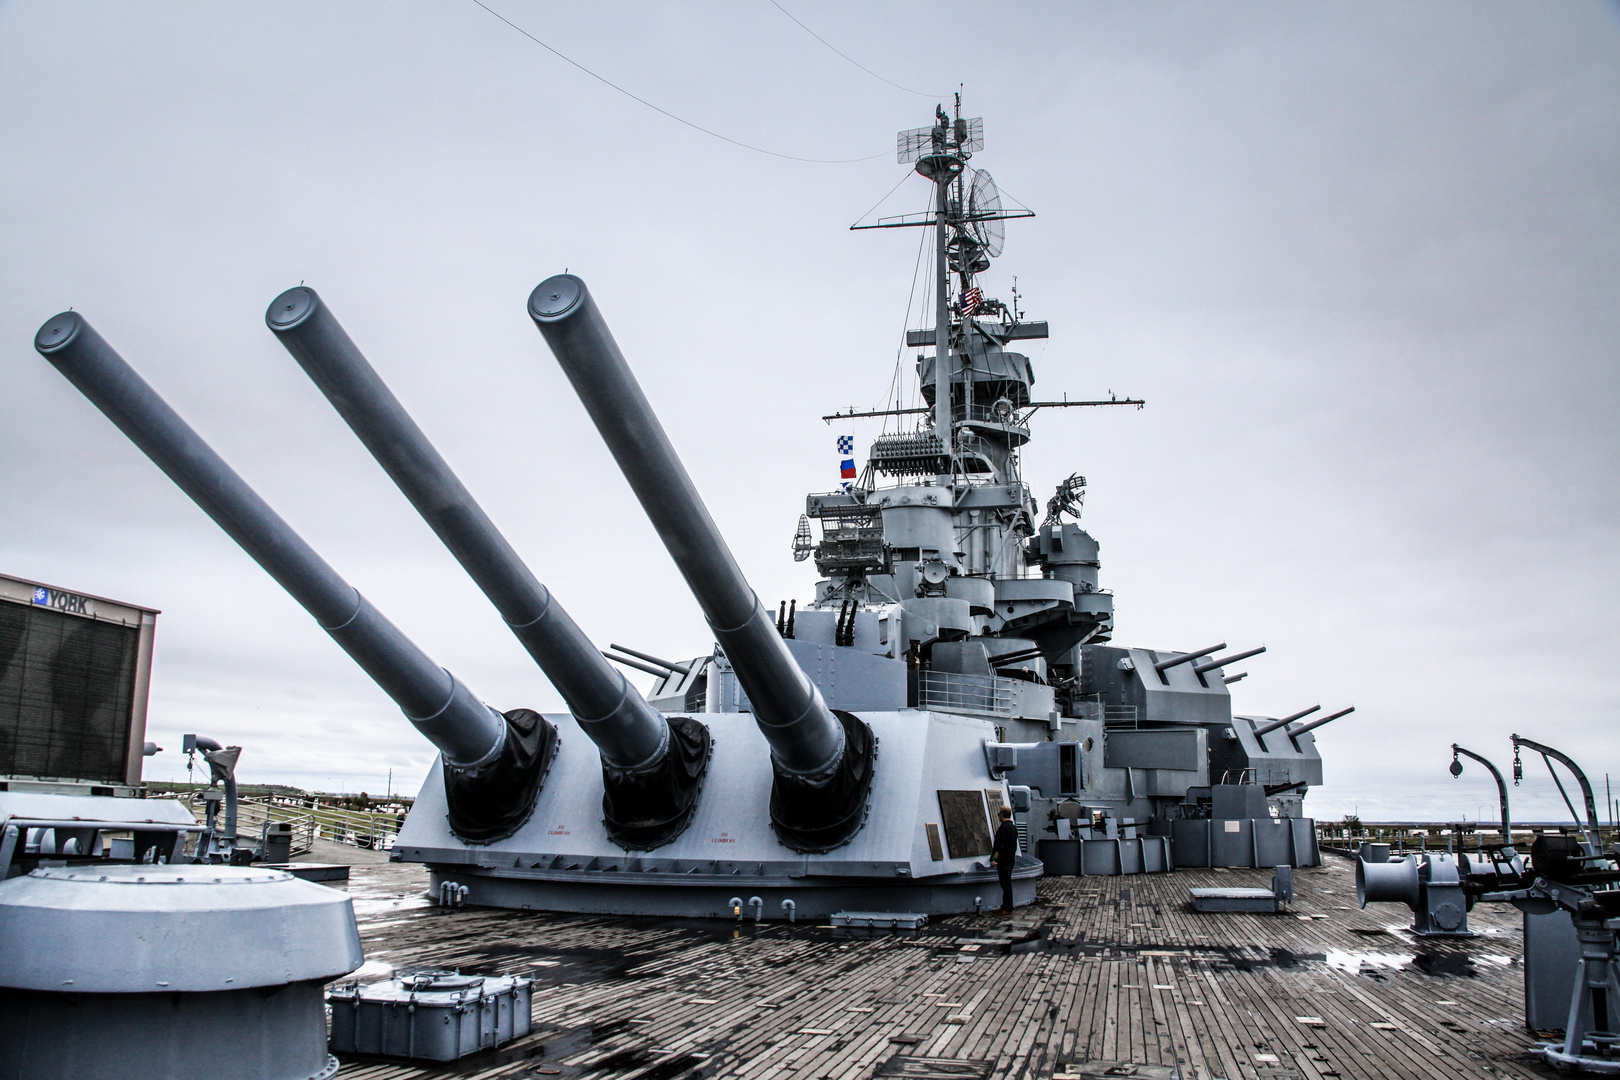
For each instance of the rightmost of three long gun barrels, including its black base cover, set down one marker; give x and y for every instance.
(822, 762)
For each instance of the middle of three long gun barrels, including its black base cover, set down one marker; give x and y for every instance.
(652, 767)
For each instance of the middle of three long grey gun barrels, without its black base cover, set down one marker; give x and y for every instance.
(628, 731)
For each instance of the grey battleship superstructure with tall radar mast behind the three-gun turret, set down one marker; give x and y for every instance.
(949, 587)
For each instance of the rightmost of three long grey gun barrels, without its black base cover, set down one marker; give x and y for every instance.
(806, 738)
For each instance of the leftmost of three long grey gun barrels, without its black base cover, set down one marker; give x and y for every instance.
(469, 733)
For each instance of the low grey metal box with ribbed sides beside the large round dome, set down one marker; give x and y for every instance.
(435, 1016)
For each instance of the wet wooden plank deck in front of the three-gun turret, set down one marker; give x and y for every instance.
(1114, 971)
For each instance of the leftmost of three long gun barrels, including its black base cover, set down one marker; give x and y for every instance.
(493, 763)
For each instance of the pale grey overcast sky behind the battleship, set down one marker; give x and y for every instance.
(1360, 260)
